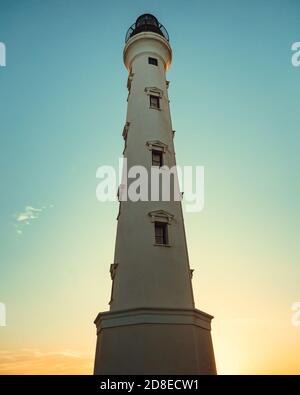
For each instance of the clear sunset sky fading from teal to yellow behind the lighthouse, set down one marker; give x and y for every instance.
(235, 100)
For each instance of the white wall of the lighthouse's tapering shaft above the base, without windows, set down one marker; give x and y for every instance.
(149, 275)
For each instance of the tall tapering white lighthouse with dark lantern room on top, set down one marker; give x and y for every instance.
(152, 326)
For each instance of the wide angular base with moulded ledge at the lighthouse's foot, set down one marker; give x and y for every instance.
(154, 341)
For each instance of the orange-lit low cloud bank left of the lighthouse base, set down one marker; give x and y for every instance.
(33, 361)
